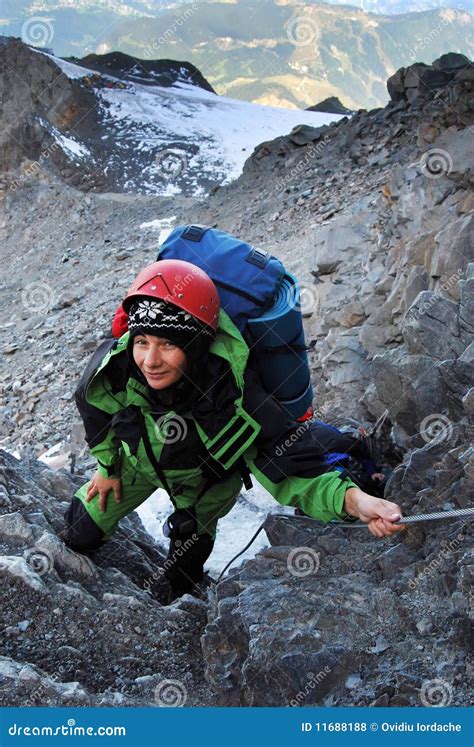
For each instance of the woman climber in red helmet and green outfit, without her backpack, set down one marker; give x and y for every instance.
(175, 403)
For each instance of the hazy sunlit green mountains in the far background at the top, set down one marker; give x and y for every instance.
(288, 55)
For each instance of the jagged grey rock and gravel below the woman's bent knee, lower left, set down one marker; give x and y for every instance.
(83, 632)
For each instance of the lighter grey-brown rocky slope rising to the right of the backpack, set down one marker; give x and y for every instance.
(367, 212)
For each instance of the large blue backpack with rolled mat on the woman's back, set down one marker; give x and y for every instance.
(262, 299)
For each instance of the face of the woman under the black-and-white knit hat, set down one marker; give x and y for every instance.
(161, 362)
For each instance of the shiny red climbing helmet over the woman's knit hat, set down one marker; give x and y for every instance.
(180, 283)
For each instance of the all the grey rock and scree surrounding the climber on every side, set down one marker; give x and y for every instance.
(374, 214)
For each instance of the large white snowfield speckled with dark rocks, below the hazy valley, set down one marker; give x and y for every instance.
(183, 139)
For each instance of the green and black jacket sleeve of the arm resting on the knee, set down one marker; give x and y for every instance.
(97, 410)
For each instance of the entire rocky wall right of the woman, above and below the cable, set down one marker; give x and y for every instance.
(376, 214)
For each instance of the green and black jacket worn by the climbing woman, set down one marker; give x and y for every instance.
(232, 424)
